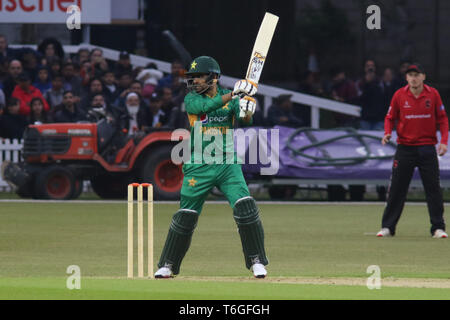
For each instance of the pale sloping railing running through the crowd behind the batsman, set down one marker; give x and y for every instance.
(268, 92)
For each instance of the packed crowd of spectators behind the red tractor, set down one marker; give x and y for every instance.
(48, 85)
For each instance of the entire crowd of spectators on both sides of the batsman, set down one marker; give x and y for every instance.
(48, 85)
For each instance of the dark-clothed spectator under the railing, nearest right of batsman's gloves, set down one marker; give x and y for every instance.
(281, 113)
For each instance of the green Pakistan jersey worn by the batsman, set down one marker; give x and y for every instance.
(210, 120)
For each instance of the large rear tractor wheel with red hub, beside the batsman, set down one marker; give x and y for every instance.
(166, 177)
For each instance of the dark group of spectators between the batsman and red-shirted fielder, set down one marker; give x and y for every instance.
(373, 92)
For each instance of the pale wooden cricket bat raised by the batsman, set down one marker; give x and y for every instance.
(260, 49)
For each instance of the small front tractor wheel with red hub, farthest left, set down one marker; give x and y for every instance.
(55, 183)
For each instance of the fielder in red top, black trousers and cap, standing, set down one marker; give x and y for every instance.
(418, 111)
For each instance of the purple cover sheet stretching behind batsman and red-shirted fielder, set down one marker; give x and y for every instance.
(298, 160)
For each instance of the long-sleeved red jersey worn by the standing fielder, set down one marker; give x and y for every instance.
(417, 118)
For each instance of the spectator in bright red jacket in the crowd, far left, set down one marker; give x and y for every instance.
(25, 92)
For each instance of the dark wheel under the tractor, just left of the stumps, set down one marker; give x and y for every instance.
(110, 186)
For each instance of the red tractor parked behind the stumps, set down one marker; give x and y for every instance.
(59, 157)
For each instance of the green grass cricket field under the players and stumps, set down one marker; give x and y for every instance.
(318, 251)
